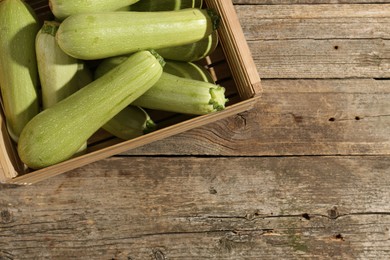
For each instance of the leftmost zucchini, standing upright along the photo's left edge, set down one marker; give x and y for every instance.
(18, 65)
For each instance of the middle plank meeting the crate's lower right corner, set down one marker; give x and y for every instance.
(295, 117)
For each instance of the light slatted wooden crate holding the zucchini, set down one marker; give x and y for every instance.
(231, 65)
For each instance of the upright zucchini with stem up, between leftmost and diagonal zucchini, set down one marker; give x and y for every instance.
(58, 72)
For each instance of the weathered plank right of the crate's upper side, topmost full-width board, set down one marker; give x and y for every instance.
(318, 41)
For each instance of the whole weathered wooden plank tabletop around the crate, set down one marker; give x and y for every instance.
(305, 174)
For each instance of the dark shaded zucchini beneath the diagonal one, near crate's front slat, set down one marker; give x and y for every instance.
(131, 122)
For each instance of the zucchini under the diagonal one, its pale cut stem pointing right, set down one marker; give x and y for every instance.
(175, 94)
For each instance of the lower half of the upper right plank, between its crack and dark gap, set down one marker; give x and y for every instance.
(322, 58)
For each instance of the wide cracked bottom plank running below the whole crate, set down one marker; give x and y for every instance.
(196, 208)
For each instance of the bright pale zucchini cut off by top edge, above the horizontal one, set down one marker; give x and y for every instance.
(64, 8)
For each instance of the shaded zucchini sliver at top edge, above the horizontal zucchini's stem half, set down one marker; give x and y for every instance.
(164, 5)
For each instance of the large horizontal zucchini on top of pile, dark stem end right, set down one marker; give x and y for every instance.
(101, 35)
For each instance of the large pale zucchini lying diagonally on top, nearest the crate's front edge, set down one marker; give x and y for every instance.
(55, 134)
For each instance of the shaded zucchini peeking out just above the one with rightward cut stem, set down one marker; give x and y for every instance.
(188, 70)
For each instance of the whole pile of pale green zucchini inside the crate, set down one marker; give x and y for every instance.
(143, 54)
